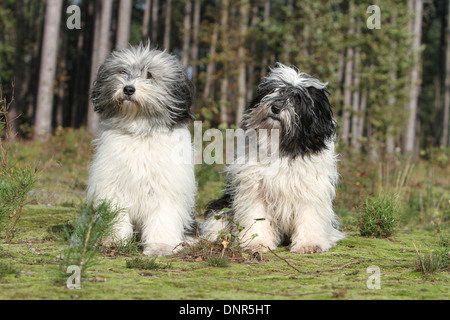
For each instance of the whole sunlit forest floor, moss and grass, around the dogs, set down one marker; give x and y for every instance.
(30, 260)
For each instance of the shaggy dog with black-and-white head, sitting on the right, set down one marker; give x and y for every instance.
(296, 202)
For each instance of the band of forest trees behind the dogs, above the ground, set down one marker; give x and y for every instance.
(388, 68)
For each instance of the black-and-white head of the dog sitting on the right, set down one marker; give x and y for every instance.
(297, 105)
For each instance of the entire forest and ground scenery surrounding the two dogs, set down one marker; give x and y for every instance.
(388, 68)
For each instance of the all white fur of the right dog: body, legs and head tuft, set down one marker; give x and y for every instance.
(296, 202)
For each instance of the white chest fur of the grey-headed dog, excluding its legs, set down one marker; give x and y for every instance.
(140, 171)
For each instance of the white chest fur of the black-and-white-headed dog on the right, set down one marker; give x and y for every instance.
(294, 184)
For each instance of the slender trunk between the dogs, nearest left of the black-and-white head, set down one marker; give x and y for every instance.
(242, 85)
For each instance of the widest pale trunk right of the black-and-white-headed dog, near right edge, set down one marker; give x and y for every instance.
(412, 107)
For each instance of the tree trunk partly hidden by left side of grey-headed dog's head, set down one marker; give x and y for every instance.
(101, 50)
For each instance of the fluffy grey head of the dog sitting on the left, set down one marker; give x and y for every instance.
(139, 82)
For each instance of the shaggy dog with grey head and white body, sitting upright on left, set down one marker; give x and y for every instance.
(144, 99)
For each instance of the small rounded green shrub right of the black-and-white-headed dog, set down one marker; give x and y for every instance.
(379, 217)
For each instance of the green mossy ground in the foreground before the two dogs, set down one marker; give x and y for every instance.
(340, 273)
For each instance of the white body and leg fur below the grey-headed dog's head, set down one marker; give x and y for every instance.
(141, 176)
